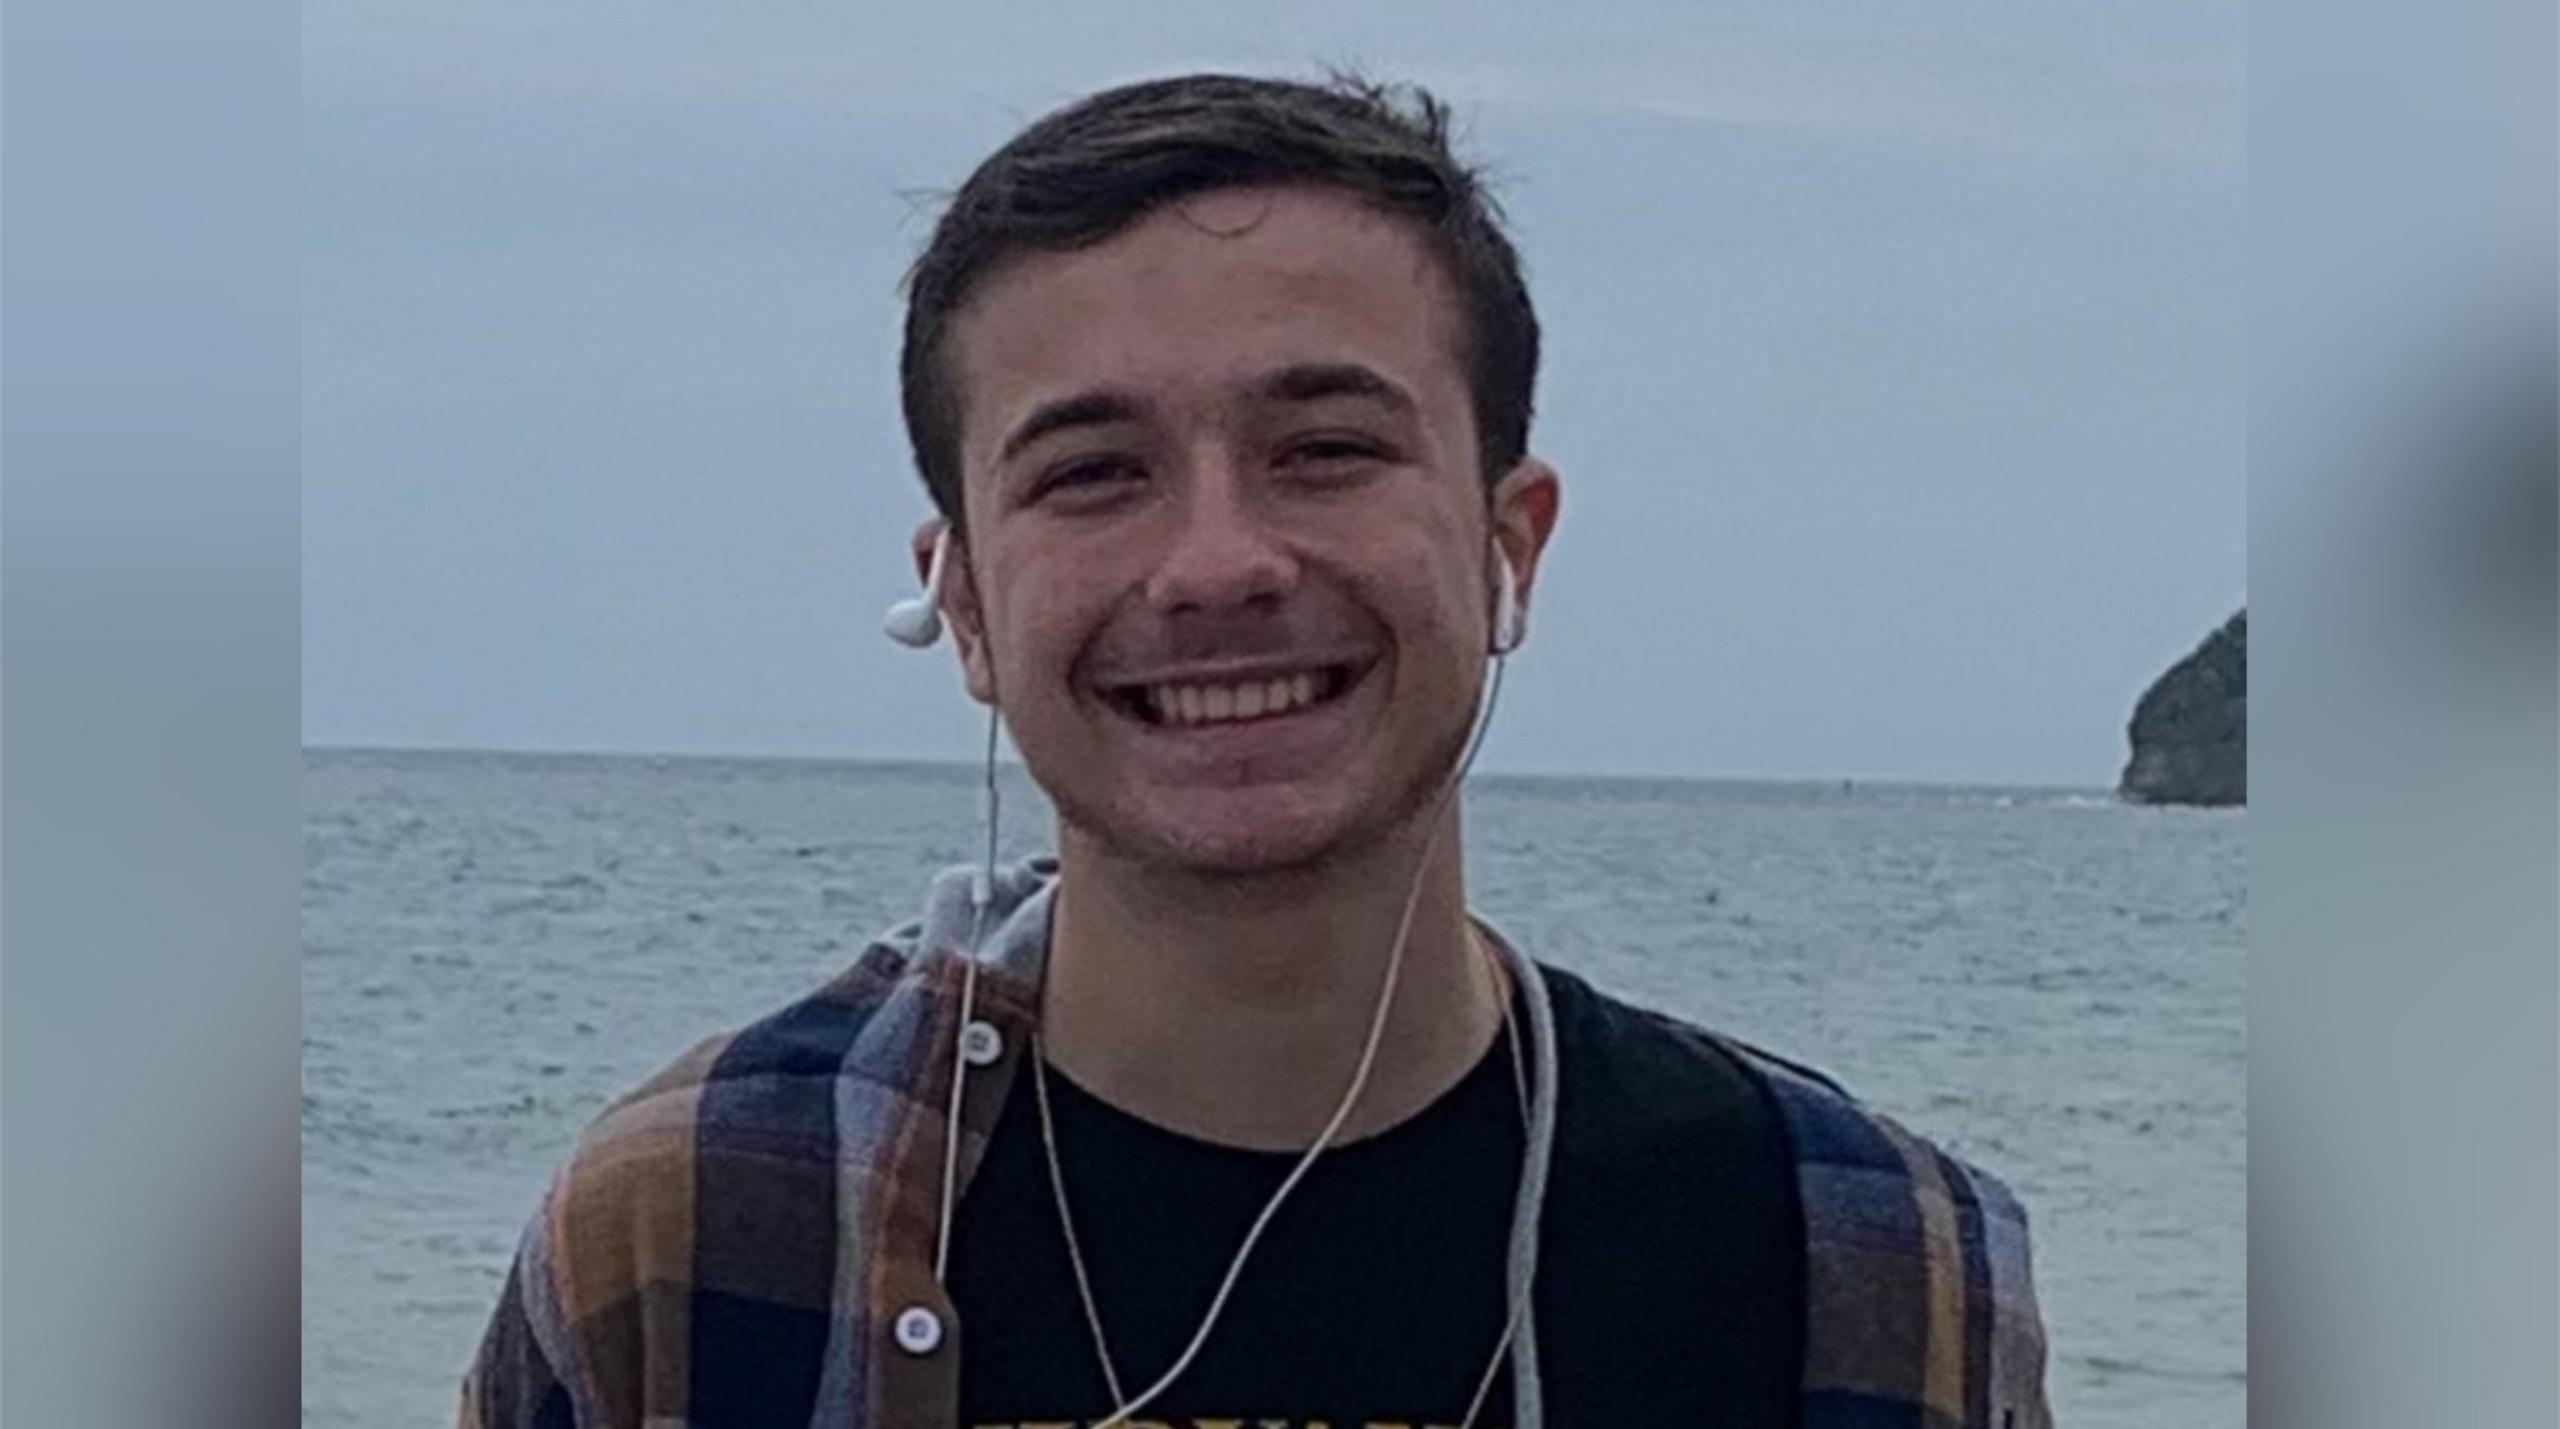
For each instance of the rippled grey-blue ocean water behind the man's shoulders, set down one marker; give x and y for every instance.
(2044, 982)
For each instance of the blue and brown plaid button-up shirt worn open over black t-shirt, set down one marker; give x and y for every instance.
(749, 1238)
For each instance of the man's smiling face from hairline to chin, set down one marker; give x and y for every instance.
(1228, 534)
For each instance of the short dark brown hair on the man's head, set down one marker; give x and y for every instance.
(1100, 165)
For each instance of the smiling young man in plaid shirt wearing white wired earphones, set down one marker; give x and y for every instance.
(1222, 391)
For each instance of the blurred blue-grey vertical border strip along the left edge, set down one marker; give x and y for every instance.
(150, 775)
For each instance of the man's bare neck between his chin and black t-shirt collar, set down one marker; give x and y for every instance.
(1235, 1010)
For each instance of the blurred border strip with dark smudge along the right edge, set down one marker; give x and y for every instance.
(2405, 844)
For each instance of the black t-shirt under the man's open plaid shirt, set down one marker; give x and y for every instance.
(1670, 1282)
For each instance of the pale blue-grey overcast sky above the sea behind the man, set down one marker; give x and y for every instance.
(1896, 362)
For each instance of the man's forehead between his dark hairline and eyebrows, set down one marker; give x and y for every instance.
(1199, 301)
